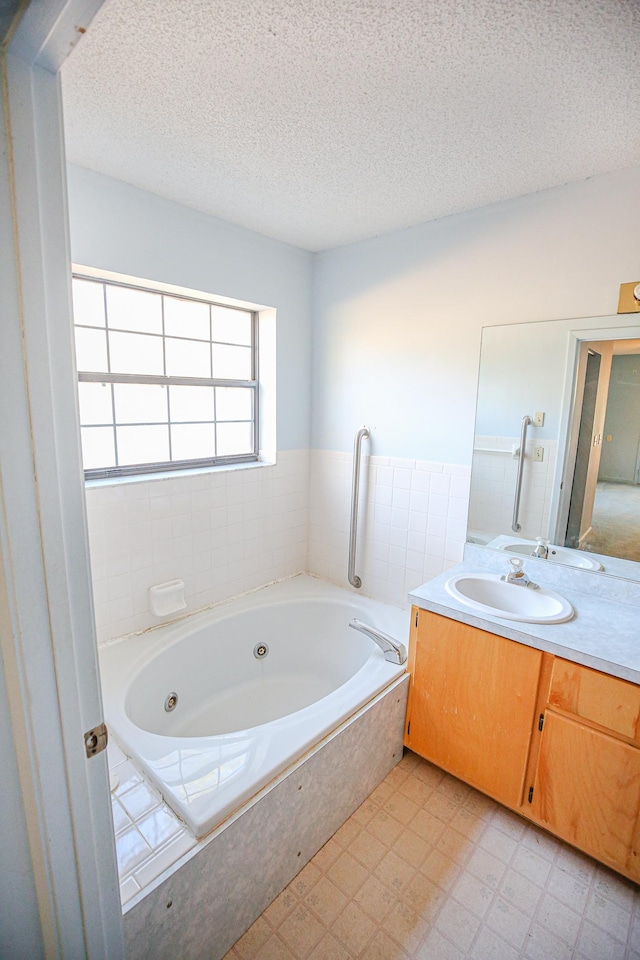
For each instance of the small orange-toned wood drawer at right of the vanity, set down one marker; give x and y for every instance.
(595, 696)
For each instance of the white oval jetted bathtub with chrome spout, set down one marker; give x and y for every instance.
(241, 721)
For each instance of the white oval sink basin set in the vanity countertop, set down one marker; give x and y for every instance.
(487, 593)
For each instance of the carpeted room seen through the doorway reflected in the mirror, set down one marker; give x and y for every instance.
(611, 521)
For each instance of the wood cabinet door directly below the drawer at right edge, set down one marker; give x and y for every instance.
(587, 791)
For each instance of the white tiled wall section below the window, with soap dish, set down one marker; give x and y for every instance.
(223, 532)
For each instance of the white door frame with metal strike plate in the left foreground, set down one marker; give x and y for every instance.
(47, 633)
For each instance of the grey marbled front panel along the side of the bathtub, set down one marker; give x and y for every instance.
(198, 909)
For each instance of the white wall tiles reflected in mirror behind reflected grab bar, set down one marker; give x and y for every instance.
(494, 486)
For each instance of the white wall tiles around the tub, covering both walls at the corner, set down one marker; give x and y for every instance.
(229, 531)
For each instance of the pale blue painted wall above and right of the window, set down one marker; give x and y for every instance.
(117, 227)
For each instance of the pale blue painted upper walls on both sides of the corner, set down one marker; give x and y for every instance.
(396, 320)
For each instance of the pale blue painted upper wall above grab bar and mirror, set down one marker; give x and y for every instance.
(398, 319)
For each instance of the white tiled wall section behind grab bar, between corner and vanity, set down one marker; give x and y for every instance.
(412, 526)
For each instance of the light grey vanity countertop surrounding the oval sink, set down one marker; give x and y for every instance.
(604, 633)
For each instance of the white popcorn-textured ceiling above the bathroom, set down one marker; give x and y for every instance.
(320, 122)
